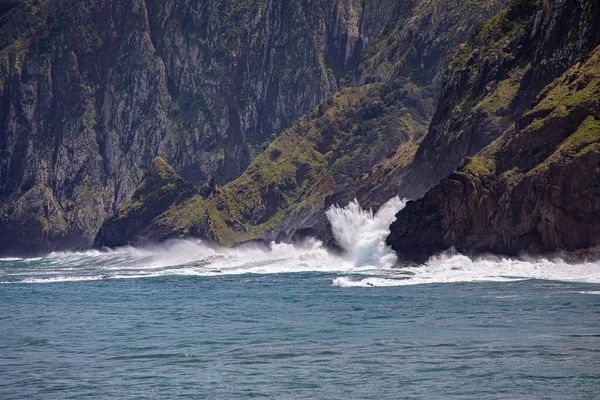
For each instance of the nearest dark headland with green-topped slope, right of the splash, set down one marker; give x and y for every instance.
(535, 189)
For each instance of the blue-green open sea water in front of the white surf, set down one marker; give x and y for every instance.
(297, 336)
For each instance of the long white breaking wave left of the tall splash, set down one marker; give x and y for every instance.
(178, 257)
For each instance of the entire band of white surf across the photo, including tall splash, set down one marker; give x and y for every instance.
(365, 262)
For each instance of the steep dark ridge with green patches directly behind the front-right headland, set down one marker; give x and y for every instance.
(496, 76)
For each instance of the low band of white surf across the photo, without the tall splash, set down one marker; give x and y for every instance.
(194, 258)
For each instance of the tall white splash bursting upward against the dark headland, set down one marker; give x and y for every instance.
(361, 233)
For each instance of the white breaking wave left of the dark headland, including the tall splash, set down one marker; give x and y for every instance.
(361, 234)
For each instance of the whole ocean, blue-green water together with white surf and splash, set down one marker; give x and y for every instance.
(186, 320)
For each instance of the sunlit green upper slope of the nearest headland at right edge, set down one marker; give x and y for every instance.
(561, 126)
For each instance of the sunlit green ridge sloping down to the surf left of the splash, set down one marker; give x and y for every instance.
(329, 147)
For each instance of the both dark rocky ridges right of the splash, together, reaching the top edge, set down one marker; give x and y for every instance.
(535, 186)
